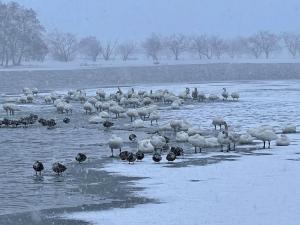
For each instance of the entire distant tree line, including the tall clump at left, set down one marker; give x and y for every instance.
(23, 38)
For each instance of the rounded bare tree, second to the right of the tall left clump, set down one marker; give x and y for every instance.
(90, 47)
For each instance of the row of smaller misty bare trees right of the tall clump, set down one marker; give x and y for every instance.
(64, 46)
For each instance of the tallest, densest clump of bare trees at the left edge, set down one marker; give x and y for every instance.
(20, 34)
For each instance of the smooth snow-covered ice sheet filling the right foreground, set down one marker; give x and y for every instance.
(251, 190)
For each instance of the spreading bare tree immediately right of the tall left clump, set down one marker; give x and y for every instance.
(63, 46)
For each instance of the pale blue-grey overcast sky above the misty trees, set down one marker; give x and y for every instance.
(135, 19)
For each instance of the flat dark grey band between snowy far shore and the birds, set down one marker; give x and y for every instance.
(113, 76)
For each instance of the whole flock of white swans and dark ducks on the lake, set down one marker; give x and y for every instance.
(142, 109)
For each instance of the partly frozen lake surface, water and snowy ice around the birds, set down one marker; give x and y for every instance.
(216, 192)
